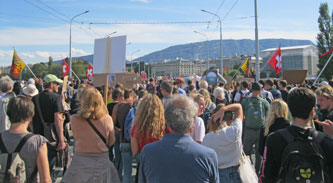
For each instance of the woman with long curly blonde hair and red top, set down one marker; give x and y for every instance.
(149, 124)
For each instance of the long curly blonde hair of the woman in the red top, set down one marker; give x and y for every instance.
(149, 118)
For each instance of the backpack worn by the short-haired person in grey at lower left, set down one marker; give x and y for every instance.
(12, 166)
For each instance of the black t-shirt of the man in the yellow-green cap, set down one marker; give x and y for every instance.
(50, 103)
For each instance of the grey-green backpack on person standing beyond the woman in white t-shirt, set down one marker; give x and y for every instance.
(255, 112)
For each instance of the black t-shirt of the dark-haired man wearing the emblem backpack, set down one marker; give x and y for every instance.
(275, 145)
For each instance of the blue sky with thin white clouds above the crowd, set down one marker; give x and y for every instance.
(38, 29)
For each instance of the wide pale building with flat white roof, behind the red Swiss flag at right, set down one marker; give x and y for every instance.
(294, 58)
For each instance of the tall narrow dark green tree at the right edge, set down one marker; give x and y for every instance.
(325, 40)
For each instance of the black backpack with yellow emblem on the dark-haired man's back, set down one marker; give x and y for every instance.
(303, 159)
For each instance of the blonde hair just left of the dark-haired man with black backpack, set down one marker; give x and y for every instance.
(278, 109)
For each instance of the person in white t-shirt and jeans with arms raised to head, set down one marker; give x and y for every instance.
(226, 140)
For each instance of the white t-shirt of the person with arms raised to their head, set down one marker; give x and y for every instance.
(227, 144)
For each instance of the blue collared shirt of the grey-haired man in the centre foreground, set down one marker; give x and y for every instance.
(177, 158)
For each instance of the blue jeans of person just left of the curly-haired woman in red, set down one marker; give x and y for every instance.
(126, 156)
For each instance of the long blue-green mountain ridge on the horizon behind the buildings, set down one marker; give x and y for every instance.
(198, 50)
